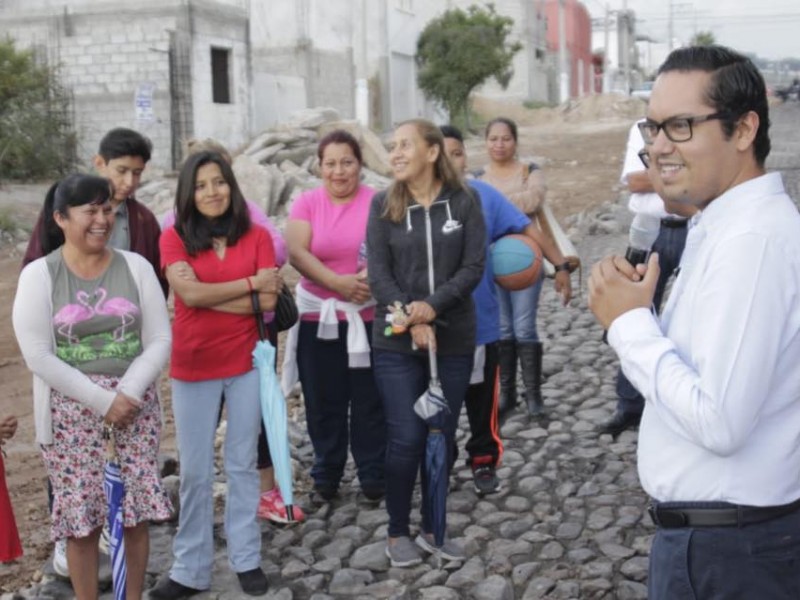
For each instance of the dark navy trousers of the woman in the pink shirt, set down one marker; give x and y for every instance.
(332, 390)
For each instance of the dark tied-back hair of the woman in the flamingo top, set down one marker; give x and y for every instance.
(73, 190)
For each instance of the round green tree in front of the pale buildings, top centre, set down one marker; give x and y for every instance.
(459, 51)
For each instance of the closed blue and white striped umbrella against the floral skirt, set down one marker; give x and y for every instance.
(115, 492)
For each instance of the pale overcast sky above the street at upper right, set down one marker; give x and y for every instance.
(769, 28)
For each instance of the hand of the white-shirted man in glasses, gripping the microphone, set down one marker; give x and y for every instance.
(615, 287)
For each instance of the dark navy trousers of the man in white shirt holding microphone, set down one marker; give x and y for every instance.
(730, 563)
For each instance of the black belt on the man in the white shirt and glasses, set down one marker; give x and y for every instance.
(671, 515)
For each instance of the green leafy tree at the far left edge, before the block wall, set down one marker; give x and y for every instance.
(36, 135)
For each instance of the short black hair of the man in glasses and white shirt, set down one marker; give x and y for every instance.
(736, 88)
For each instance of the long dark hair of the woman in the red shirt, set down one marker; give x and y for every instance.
(196, 230)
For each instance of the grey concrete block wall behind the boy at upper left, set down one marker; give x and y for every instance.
(103, 56)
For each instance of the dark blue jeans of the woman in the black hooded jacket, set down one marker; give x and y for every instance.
(401, 379)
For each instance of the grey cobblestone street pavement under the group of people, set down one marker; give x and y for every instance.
(570, 521)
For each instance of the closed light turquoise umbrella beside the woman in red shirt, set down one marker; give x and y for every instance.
(273, 411)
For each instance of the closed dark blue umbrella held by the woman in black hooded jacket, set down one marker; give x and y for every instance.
(432, 408)
